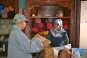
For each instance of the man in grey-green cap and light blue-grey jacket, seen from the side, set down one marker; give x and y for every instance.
(19, 45)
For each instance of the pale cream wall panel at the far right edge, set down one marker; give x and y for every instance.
(83, 25)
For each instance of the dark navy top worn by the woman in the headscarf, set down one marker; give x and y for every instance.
(58, 41)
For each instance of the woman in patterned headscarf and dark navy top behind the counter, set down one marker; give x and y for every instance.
(57, 35)
